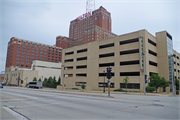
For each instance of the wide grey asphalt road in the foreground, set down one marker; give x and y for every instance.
(36, 105)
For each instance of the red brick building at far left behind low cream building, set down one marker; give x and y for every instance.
(21, 53)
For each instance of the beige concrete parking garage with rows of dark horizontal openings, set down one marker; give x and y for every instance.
(85, 63)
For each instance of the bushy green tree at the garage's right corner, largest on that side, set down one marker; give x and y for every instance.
(157, 81)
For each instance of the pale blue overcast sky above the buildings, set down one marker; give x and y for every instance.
(42, 20)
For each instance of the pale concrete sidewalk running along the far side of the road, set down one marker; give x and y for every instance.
(89, 93)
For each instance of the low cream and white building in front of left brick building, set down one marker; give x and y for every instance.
(39, 69)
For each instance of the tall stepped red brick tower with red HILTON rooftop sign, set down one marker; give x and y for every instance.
(87, 29)
